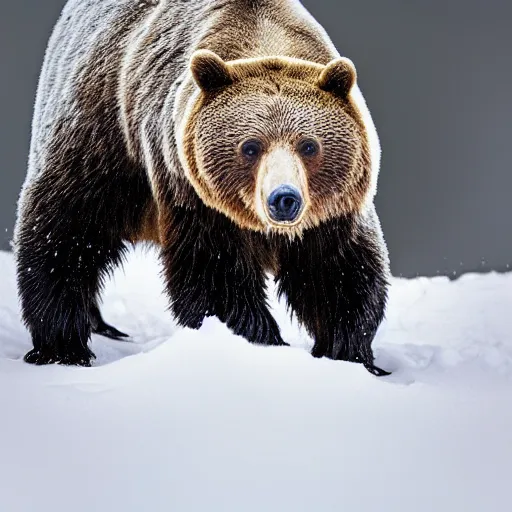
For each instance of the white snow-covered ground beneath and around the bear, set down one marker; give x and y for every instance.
(203, 421)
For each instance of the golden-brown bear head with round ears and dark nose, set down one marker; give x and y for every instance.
(276, 143)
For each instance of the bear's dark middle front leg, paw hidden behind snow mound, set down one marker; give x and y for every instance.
(211, 270)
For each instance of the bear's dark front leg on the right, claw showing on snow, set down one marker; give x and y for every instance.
(335, 280)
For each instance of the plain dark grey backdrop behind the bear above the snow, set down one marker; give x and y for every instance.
(437, 76)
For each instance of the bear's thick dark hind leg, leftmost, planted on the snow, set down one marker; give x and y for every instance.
(60, 270)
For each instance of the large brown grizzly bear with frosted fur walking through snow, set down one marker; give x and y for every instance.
(231, 135)
